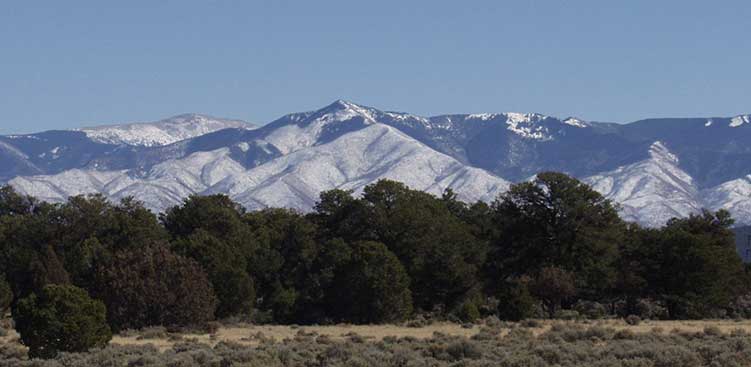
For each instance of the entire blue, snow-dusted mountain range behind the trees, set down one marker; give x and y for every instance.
(655, 169)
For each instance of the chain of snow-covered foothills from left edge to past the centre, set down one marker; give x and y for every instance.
(294, 180)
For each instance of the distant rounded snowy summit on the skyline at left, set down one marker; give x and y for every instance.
(162, 132)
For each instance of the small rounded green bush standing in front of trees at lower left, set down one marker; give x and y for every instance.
(61, 318)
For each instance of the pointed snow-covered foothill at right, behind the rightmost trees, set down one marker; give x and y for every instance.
(651, 191)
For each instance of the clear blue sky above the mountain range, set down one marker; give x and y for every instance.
(66, 64)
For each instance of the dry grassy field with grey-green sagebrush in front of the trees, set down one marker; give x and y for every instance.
(529, 343)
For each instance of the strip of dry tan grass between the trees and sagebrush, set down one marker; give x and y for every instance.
(252, 334)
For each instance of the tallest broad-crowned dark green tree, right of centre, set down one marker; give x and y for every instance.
(556, 220)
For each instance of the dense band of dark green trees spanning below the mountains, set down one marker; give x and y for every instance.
(550, 247)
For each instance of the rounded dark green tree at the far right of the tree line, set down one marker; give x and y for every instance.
(692, 264)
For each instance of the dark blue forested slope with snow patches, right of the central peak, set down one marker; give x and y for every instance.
(519, 145)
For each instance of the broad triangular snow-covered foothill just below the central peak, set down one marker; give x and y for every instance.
(358, 159)
